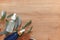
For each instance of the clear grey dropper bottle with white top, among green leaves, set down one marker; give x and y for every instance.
(11, 24)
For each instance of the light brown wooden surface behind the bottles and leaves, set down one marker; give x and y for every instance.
(45, 15)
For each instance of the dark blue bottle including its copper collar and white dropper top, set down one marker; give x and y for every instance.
(15, 35)
